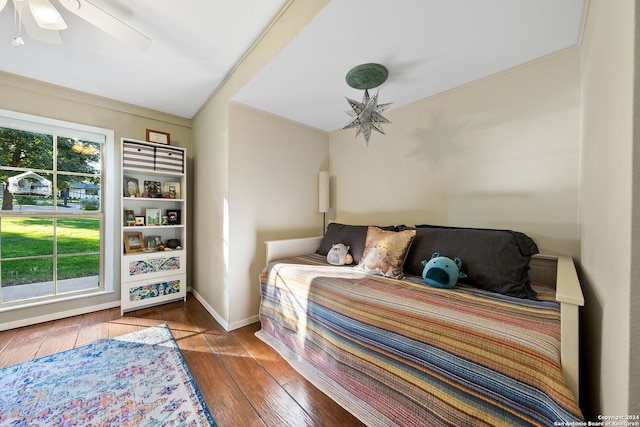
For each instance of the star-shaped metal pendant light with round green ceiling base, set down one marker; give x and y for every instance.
(367, 114)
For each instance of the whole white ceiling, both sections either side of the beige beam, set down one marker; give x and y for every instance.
(428, 46)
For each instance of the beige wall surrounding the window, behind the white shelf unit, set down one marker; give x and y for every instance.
(40, 99)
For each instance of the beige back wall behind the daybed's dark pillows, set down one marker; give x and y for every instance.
(502, 152)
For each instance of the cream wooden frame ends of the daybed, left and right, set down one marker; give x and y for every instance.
(555, 270)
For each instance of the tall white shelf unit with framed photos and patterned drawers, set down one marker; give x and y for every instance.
(152, 277)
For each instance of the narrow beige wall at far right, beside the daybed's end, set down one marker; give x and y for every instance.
(608, 245)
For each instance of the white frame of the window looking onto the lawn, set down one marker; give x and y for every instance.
(108, 184)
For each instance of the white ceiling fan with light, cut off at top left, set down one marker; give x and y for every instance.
(44, 22)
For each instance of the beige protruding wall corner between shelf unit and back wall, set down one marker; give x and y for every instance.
(262, 186)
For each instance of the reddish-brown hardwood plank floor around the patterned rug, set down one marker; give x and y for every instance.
(244, 381)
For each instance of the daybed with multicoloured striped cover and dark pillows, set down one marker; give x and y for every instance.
(397, 351)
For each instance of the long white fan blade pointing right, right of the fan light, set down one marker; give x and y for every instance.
(108, 23)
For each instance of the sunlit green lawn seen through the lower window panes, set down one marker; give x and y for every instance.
(30, 237)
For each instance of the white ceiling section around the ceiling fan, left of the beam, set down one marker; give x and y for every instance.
(194, 45)
